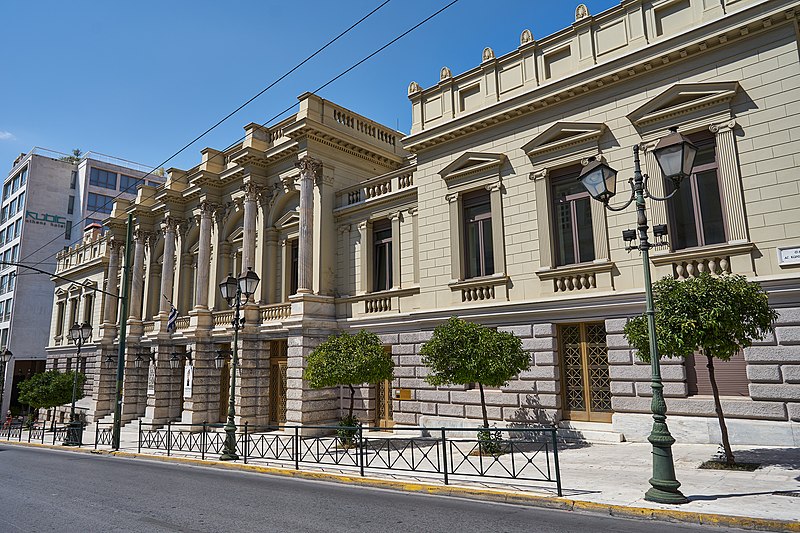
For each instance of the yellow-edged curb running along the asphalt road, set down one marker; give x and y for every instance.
(492, 495)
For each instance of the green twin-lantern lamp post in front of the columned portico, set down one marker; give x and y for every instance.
(236, 292)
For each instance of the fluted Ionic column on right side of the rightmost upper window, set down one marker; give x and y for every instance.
(731, 181)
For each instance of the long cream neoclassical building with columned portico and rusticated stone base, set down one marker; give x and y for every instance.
(478, 213)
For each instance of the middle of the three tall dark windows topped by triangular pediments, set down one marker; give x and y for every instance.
(572, 218)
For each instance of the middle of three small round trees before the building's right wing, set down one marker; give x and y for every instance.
(461, 353)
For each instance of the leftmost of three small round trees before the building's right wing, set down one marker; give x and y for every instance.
(350, 360)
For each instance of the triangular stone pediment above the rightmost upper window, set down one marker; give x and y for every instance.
(683, 99)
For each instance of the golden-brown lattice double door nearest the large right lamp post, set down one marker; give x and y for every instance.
(584, 372)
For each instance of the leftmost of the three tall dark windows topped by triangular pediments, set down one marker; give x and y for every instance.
(478, 250)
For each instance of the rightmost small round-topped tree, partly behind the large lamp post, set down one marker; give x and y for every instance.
(719, 316)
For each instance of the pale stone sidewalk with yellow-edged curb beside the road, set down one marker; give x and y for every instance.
(609, 478)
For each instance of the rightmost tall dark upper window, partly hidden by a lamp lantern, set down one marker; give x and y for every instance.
(695, 212)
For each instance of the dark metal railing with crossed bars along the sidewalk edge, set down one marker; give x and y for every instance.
(528, 453)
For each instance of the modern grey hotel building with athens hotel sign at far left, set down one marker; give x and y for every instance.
(45, 199)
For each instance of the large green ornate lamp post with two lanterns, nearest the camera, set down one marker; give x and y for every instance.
(675, 155)
